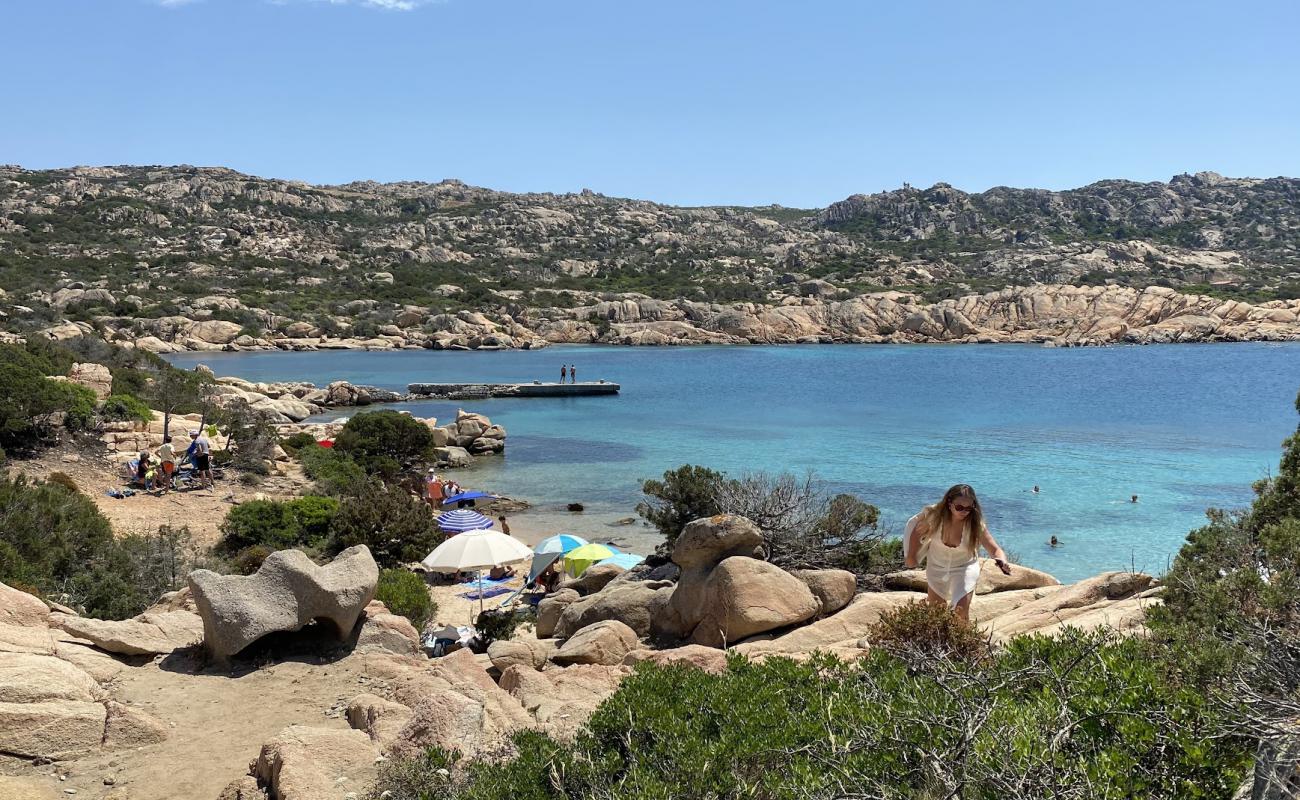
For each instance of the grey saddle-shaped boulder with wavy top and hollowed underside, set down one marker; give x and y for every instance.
(285, 594)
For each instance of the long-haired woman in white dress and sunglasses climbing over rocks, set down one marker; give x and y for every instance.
(948, 537)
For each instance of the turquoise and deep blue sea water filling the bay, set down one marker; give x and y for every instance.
(1185, 427)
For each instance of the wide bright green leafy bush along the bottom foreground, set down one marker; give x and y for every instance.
(1086, 716)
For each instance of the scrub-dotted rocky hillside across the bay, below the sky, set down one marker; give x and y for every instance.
(146, 252)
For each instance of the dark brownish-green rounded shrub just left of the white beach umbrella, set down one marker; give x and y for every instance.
(398, 529)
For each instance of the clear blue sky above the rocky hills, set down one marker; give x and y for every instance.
(690, 103)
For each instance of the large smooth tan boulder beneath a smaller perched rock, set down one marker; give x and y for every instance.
(746, 596)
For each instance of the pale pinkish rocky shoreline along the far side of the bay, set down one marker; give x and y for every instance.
(1054, 315)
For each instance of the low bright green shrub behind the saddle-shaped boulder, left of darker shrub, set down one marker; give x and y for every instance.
(279, 525)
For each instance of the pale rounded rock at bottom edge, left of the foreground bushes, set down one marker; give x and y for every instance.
(315, 764)
